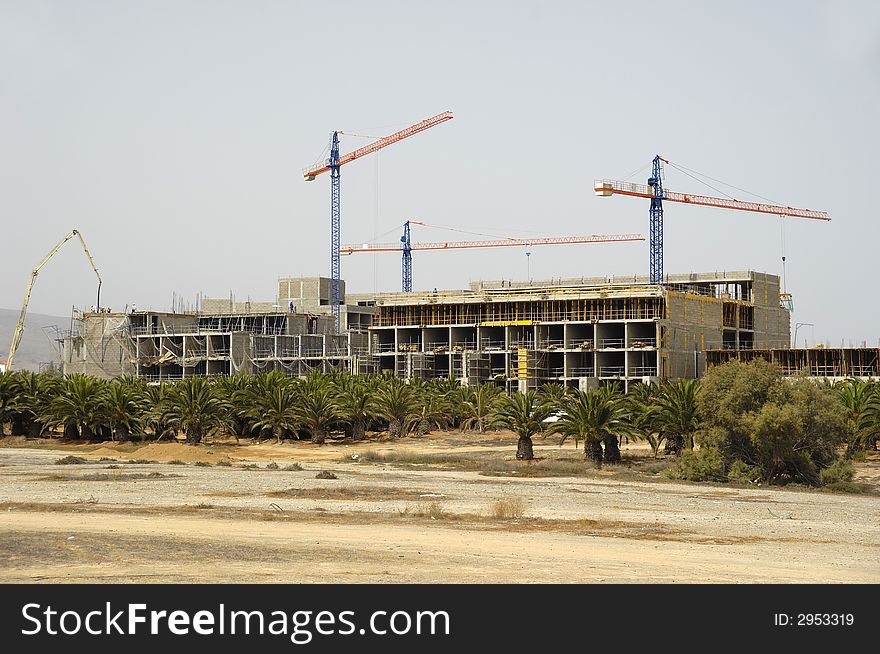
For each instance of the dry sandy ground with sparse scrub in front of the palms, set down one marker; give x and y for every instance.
(378, 522)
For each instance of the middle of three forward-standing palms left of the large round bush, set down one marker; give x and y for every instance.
(597, 417)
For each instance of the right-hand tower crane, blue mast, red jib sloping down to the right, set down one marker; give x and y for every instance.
(655, 191)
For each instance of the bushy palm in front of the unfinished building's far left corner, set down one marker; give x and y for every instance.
(80, 406)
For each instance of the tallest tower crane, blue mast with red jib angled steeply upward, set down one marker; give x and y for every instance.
(332, 165)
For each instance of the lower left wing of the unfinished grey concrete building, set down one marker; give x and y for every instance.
(224, 338)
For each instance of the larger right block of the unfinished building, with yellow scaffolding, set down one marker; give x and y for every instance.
(579, 332)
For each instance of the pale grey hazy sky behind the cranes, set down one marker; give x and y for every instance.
(173, 135)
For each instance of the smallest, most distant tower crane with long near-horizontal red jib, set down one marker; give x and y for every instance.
(406, 246)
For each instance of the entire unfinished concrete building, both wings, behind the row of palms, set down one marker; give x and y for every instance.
(579, 332)
